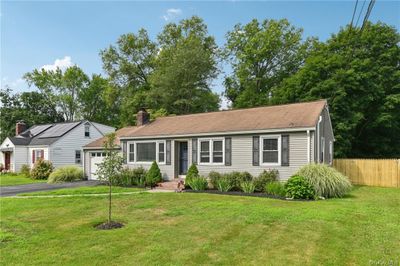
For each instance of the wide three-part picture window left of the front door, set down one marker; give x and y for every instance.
(146, 151)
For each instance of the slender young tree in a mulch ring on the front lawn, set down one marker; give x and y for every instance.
(110, 167)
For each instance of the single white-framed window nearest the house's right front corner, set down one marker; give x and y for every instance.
(270, 150)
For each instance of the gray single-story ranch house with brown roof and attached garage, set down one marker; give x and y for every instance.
(282, 137)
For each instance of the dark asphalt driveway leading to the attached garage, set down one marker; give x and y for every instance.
(14, 190)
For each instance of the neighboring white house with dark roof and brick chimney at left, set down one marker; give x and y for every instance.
(60, 143)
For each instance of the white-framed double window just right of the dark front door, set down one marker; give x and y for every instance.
(211, 151)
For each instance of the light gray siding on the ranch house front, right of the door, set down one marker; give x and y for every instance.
(242, 157)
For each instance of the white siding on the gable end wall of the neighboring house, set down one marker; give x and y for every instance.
(62, 152)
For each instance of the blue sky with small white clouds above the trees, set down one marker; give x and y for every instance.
(49, 33)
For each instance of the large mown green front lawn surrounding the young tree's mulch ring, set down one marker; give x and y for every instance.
(191, 228)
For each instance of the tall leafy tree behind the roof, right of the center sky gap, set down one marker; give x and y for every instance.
(262, 55)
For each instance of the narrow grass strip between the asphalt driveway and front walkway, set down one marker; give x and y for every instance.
(82, 190)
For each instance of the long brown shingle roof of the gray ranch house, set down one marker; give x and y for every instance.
(297, 115)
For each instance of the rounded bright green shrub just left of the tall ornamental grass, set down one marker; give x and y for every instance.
(297, 187)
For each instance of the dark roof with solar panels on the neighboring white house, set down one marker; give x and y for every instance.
(44, 134)
